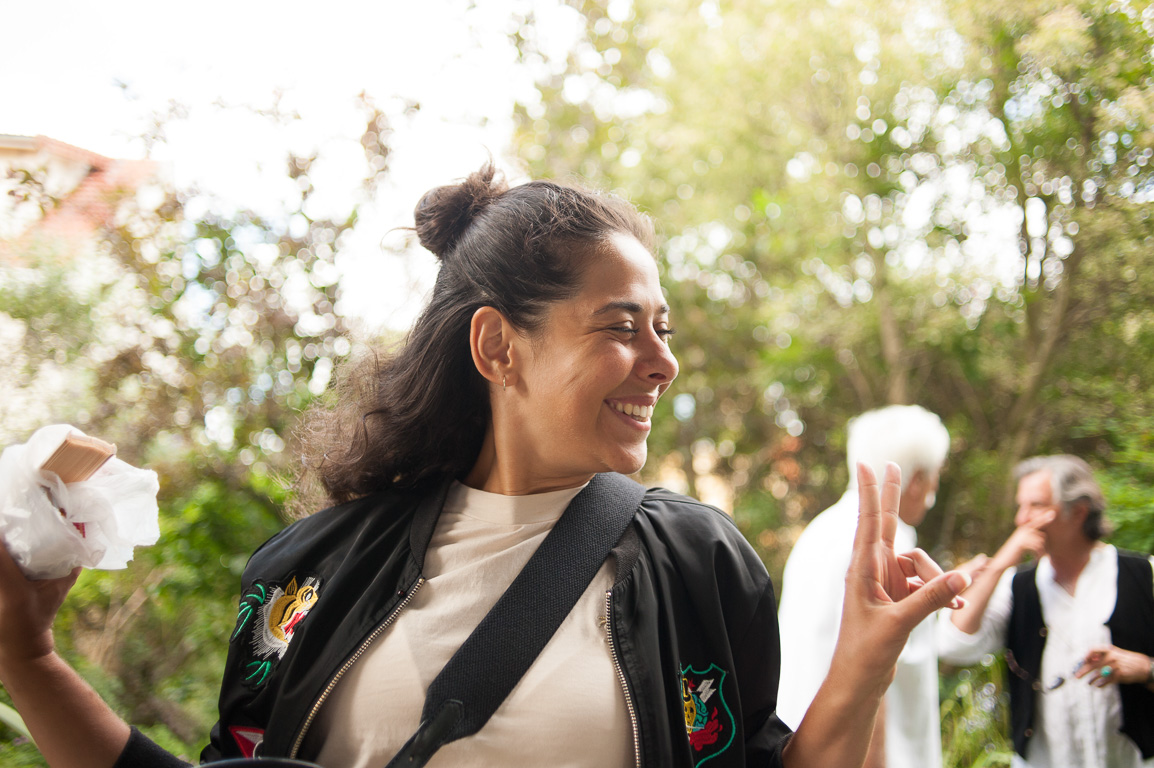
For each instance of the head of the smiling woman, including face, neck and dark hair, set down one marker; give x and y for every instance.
(530, 277)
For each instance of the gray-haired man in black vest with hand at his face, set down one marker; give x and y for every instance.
(1077, 627)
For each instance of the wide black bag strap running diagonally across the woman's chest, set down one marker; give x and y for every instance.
(512, 636)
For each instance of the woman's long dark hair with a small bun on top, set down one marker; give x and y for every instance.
(421, 415)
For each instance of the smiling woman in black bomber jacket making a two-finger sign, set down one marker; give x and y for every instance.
(524, 390)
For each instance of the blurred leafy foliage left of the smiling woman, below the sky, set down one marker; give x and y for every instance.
(192, 337)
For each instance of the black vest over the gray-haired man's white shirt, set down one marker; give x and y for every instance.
(1131, 628)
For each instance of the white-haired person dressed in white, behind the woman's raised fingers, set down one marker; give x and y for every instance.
(908, 734)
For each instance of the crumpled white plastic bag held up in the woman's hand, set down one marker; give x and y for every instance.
(95, 523)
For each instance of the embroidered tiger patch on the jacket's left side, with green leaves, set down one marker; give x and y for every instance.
(268, 618)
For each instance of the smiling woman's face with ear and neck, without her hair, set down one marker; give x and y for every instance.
(578, 396)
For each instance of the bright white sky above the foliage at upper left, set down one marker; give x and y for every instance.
(93, 73)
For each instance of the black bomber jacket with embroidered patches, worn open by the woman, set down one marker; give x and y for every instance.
(694, 630)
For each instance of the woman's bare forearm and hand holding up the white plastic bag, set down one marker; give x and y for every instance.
(70, 722)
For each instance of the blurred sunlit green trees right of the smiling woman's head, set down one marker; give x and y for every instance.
(842, 189)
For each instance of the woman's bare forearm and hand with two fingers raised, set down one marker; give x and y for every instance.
(887, 597)
